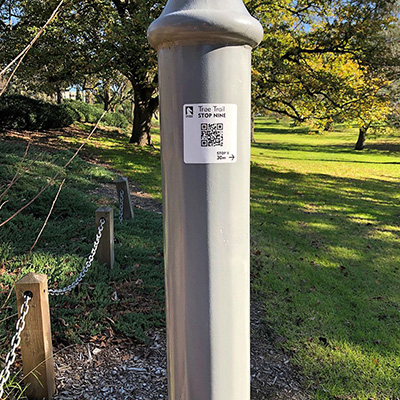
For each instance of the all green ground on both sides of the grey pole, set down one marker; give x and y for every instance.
(325, 249)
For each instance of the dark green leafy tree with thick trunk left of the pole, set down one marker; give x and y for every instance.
(95, 38)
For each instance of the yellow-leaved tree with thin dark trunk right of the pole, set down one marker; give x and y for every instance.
(325, 60)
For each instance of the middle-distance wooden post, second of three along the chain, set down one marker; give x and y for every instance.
(105, 251)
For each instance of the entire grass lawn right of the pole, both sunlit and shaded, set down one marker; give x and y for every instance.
(326, 256)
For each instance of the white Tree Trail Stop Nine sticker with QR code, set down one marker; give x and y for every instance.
(209, 133)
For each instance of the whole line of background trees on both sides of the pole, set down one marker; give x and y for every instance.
(321, 61)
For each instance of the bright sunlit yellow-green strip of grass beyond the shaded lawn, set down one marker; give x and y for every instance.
(331, 153)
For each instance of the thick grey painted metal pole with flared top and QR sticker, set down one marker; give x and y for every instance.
(204, 50)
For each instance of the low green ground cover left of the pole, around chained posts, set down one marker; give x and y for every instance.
(128, 300)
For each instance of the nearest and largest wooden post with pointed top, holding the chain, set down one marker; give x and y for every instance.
(36, 345)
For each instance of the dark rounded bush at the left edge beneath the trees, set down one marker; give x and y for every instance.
(21, 112)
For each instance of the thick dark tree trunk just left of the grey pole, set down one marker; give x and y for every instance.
(145, 106)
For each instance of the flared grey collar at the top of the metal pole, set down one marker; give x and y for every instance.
(191, 22)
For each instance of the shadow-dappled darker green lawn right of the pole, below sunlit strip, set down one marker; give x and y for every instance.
(326, 256)
